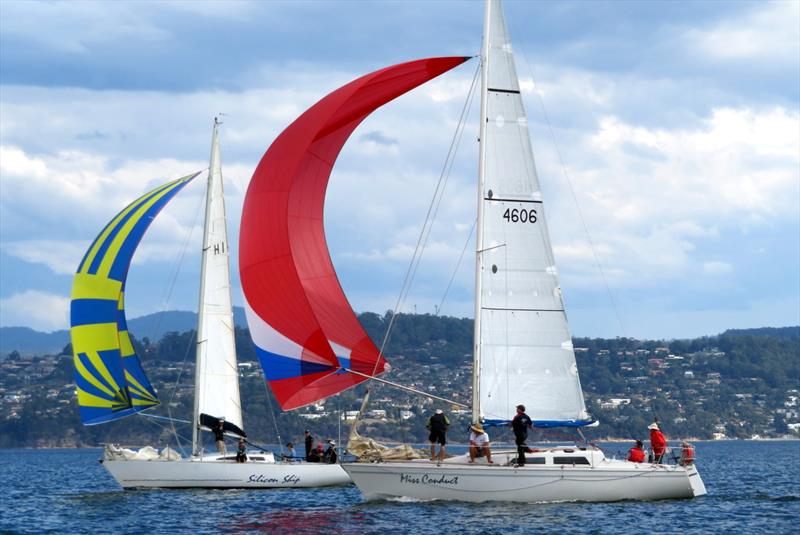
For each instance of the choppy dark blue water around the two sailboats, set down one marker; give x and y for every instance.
(753, 488)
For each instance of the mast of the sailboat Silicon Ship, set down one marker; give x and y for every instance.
(213, 168)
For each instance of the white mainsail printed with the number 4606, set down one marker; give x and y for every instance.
(524, 347)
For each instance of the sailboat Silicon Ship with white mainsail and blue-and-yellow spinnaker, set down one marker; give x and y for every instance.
(108, 390)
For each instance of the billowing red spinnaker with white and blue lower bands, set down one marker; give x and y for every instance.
(304, 330)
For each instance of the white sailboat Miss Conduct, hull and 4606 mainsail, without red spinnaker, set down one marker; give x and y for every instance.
(523, 351)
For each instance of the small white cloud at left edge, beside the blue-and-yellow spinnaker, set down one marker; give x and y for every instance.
(35, 309)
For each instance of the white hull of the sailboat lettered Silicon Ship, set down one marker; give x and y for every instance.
(214, 472)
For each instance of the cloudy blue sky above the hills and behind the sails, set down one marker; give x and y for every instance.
(666, 137)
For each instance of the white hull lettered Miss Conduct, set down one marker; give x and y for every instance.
(602, 481)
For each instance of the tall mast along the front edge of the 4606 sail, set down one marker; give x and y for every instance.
(476, 362)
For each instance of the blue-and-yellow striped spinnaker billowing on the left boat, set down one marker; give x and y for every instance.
(109, 377)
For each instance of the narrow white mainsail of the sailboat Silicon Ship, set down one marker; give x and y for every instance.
(217, 376)
